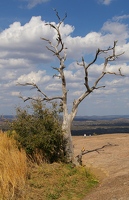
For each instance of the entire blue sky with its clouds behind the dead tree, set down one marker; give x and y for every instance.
(90, 24)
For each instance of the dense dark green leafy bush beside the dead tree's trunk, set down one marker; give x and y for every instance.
(38, 131)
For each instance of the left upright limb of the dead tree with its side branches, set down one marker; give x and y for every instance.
(59, 51)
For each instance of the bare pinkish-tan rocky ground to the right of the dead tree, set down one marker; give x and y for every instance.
(111, 165)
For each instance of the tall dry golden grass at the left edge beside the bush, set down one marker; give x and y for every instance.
(13, 169)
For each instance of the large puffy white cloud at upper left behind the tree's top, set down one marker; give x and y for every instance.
(25, 41)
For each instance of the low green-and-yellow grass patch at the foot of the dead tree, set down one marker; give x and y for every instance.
(59, 181)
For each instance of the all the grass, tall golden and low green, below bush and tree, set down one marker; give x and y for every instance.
(22, 179)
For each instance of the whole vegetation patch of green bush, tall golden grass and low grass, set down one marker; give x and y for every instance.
(35, 166)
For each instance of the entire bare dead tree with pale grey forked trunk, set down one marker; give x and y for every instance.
(60, 51)
